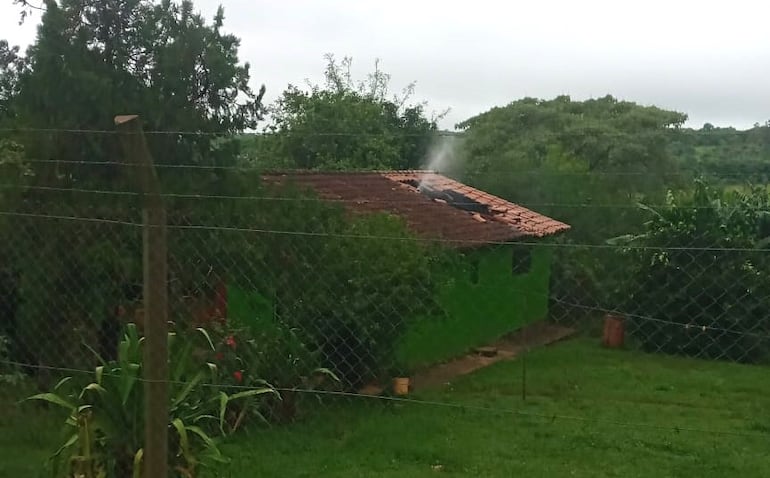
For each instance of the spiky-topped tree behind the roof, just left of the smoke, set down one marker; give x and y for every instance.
(347, 125)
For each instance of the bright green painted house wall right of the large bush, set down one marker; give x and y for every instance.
(480, 306)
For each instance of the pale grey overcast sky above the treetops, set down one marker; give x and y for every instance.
(708, 59)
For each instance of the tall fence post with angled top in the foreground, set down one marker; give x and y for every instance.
(155, 265)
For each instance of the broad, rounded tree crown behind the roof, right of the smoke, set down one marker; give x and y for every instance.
(576, 152)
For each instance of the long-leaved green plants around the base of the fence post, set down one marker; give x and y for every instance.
(105, 415)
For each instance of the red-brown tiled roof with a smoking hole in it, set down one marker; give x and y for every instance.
(432, 205)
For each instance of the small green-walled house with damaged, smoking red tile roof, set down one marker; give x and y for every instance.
(500, 281)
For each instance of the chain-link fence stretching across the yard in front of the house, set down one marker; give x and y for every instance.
(282, 306)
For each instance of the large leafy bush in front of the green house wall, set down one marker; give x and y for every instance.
(325, 289)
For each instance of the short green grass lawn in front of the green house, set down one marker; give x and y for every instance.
(589, 412)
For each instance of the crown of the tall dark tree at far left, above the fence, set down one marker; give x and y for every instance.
(92, 60)
